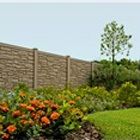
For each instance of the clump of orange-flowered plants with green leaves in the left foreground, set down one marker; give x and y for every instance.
(32, 113)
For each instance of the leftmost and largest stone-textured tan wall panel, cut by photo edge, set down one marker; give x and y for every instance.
(16, 65)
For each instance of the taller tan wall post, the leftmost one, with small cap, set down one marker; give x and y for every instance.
(35, 67)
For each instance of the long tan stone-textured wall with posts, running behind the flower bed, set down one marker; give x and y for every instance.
(40, 69)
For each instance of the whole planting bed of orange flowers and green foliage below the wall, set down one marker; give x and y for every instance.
(26, 113)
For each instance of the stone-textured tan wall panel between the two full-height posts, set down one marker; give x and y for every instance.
(51, 70)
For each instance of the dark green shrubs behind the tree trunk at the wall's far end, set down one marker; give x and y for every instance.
(124, 71)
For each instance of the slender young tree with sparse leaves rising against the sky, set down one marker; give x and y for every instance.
(114, 41)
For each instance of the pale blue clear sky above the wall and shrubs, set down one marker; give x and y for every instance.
(67, 28)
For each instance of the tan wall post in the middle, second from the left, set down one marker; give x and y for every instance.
(68, 72)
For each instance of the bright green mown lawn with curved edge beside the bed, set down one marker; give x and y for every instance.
(118, 125)
